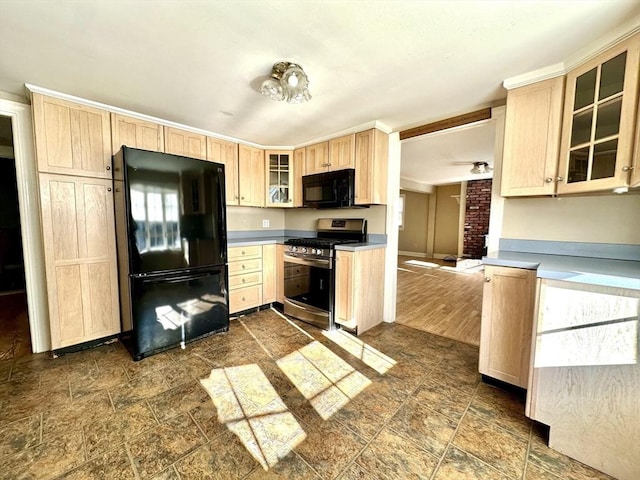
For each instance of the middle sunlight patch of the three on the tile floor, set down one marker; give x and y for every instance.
(326, 380)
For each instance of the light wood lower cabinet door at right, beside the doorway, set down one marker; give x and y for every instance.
(507, 320)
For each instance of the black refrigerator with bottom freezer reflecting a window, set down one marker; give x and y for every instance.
(175, 249)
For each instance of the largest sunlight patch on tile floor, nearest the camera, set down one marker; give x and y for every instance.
(252, 409)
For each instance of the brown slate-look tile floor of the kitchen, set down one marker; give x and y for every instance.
(280, 400)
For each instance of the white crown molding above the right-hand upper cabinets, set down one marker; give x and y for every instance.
(611, 39)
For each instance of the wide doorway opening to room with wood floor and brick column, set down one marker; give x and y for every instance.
(445, 228)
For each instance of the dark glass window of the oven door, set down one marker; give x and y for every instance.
(308, 285)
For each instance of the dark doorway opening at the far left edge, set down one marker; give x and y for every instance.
(15, 337)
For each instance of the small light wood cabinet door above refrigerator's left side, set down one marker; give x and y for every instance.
(135, 133)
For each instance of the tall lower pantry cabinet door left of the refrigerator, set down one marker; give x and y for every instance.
(80, 258)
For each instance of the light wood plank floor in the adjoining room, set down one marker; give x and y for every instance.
(439, 301)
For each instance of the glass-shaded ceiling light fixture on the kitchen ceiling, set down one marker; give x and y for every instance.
(286, 82)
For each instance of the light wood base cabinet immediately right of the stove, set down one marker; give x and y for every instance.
(359, 299)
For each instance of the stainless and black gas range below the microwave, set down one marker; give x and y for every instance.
(309, 269)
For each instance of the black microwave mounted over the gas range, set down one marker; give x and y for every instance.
(329, 190)
